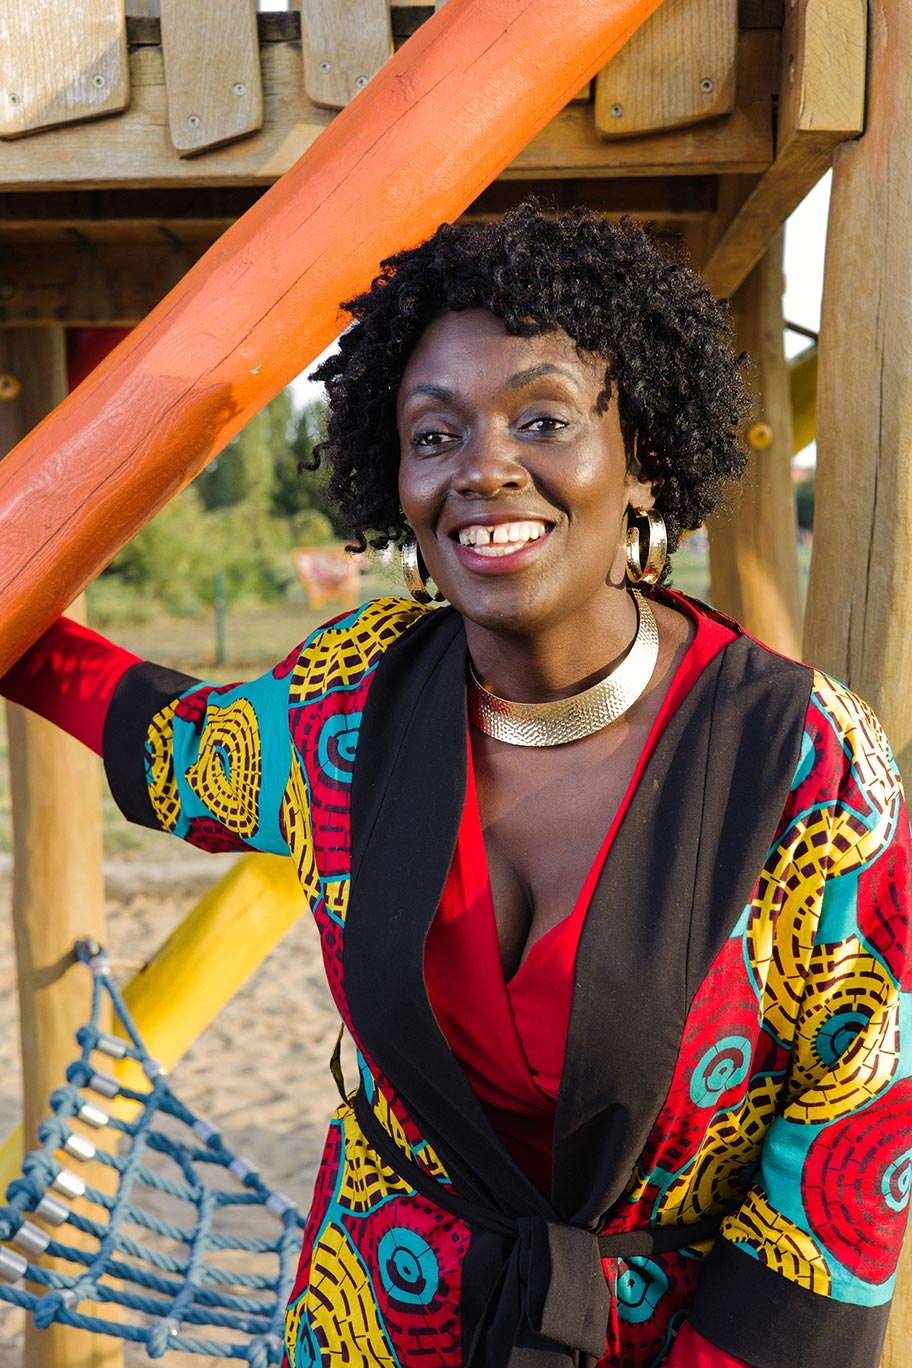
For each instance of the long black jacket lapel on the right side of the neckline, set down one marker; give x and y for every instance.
(678, 878)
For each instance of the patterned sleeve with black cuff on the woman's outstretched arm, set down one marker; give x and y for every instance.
(210, 764)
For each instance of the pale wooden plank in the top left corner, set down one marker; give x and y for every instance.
(55, 70)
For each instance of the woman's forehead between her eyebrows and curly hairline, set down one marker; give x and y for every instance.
(475, 348)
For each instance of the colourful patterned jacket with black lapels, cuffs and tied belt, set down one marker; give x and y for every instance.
(732, 1137)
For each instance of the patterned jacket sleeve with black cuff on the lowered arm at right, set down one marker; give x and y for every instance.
(806, 1269)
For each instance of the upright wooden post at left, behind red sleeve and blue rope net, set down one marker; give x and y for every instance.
(58, 893)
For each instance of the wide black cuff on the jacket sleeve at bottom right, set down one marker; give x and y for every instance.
(758, 1315)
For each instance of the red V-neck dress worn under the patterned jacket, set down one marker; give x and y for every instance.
(511, 1038)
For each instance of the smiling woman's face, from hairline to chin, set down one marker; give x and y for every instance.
(513, 473)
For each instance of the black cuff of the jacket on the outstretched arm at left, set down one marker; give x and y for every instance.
(143, 692)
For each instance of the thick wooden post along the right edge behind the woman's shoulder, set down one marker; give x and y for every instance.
(859, 624)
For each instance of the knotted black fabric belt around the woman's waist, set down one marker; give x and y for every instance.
(549, 1306)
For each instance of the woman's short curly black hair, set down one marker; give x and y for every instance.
(664, 340)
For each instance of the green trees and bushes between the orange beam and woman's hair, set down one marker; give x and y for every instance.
(244, 515)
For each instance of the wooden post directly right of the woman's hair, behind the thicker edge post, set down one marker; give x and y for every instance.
(754, 552)
